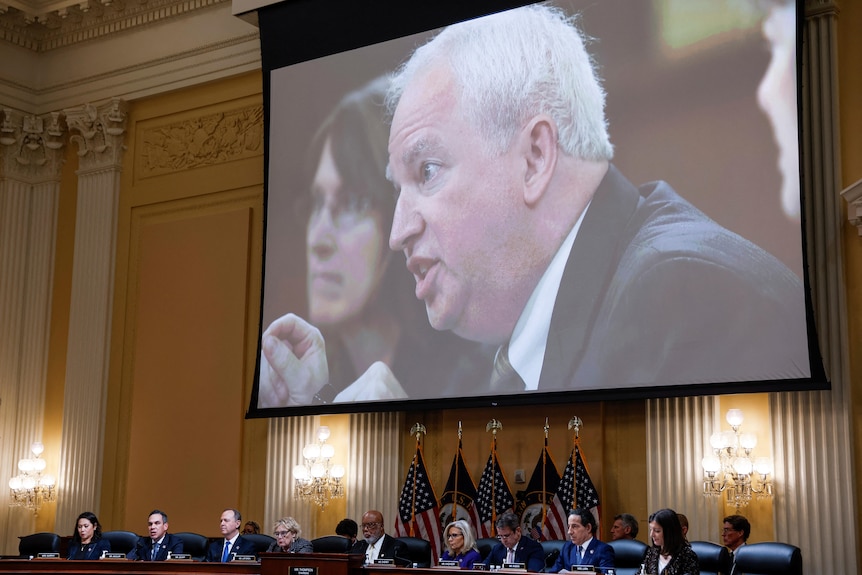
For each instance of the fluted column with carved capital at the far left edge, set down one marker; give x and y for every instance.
(30, 161)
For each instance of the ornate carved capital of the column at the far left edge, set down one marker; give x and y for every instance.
(30, 146)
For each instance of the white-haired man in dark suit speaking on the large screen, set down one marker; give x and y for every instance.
(520, 232)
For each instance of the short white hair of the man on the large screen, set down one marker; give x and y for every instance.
(514, 65)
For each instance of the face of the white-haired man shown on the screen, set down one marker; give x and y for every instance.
(458, 215)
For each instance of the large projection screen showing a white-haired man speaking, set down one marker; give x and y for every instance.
(409, 255)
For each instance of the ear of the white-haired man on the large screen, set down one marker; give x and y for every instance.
(539, 141)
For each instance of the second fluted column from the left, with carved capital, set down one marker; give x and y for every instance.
(98, 134)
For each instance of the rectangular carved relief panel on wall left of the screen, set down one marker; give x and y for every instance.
(202, 141)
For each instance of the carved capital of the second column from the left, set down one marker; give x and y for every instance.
(98, 132)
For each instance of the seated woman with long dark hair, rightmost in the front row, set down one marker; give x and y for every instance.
(670, 554)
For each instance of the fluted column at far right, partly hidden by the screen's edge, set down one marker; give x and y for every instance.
(812, 430)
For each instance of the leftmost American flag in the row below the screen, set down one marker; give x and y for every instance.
(418, 514)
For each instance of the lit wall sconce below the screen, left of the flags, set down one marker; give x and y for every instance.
(315, 479)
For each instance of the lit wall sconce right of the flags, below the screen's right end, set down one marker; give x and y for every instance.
(732, 470)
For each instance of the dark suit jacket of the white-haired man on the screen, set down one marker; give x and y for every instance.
(656, 292)
